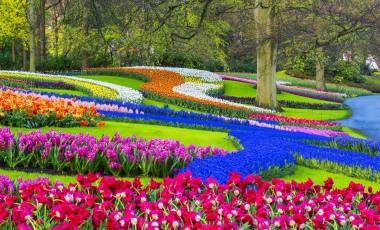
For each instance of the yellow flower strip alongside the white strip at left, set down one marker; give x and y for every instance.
(96, 90)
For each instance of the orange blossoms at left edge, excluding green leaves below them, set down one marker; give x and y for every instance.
(34, 104)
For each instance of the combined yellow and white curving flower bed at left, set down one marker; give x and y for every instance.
(97, 88)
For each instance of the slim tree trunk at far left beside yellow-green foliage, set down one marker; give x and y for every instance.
(32, 45)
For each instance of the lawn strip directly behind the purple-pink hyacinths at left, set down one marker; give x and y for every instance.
(186, 136)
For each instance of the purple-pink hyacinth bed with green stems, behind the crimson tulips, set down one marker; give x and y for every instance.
(84, 153)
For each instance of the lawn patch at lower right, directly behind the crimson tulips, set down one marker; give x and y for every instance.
(319, 176)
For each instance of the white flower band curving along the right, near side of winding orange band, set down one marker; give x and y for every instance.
(199, 90)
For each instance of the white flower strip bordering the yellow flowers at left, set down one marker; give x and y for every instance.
(124, 93)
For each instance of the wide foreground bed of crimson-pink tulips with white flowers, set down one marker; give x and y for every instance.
(184, 202)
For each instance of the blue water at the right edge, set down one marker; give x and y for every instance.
(365, 115)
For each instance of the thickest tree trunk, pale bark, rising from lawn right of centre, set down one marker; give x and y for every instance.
(266, 57)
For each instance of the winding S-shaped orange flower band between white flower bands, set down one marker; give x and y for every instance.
(162, 83)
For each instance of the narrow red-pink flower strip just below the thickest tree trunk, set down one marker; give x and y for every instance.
(302, 121)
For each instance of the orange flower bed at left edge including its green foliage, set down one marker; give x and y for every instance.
(25, 110)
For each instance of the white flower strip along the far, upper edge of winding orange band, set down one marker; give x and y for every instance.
(203, 75)
